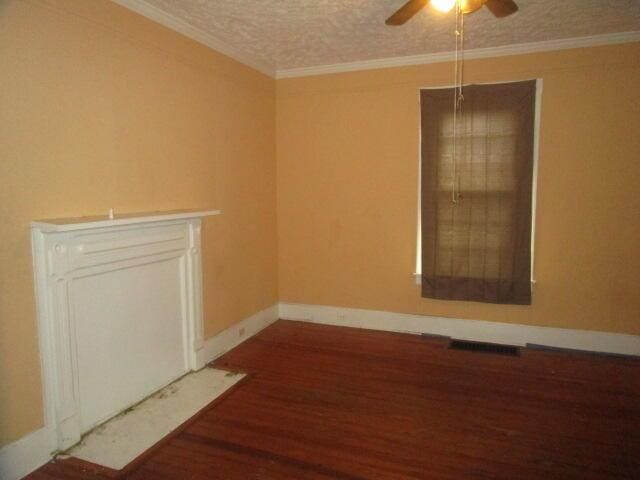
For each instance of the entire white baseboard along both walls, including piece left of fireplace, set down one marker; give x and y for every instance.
(34, 450)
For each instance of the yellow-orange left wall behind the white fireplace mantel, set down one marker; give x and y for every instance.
(101, 108)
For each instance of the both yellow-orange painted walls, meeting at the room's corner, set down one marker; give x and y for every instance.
(101, 108)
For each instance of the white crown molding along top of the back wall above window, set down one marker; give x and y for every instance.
(516, 49)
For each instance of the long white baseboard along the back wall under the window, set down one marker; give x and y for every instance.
(494, 332)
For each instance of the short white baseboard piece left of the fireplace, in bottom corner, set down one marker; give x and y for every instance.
(23, 456)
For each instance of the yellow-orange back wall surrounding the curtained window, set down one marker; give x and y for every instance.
(347, 147)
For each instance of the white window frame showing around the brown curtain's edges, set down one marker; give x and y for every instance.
(534, 183)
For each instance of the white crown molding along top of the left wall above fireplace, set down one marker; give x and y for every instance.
(174, 23)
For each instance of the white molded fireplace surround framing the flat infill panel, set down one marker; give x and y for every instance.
(60, 257)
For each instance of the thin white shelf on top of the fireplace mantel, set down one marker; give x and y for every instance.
(100, 221)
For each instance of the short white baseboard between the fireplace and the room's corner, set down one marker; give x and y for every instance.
(238, 333)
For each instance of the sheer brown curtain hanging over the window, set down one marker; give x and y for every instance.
(479, 247)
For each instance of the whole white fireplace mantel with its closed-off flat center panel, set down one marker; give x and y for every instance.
(119, 303)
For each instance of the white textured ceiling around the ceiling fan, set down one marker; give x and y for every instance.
(286, 34)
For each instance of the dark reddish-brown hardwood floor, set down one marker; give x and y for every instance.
(335, 403)
